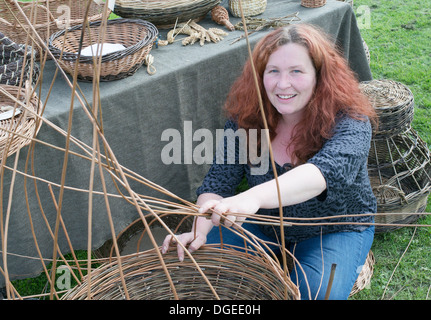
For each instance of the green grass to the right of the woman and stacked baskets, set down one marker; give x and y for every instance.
(398, 40)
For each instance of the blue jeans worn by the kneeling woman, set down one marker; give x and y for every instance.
(348, 250)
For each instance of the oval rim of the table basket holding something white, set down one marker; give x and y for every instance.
(151, 35)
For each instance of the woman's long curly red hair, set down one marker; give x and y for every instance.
(337, 90)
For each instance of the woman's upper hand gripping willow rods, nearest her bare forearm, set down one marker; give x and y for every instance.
(224, 210)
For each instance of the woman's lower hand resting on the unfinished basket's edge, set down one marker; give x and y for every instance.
(188, 238)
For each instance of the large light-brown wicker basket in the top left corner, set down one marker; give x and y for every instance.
(46, 16)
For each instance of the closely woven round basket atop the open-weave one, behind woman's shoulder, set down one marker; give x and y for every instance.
(394, 104)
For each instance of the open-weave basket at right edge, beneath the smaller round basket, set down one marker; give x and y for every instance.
(400, 173)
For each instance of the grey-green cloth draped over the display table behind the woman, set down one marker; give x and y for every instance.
(190, 84)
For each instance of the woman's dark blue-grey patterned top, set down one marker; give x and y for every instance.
(342, 161)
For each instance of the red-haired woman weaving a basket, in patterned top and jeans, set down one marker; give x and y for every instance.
(320, 132)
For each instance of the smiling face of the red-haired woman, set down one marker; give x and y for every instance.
(289, 79)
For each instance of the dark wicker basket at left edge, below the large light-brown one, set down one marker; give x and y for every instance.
(16, 63)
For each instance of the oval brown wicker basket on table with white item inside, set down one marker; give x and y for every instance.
(137, 36)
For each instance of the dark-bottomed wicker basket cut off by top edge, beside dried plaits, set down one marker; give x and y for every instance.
(164, 13)
